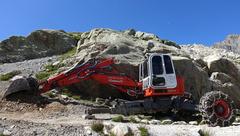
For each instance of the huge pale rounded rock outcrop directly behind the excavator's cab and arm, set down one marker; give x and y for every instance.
(130, 48)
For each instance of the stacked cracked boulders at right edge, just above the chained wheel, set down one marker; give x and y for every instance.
(225, 76)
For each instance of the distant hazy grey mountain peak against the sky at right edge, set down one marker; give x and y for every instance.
(231, 43)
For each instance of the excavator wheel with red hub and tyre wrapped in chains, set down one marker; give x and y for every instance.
(217, 109)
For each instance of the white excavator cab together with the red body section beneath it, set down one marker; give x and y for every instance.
(157, 75)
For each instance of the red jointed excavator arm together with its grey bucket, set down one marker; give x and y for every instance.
(101, 70)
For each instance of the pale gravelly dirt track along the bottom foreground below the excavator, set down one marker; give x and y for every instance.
(33, 123)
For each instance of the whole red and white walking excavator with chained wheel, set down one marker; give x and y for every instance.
(159, 89)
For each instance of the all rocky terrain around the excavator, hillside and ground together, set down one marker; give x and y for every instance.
(204, 68)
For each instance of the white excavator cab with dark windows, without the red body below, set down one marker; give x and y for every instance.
(158, 72)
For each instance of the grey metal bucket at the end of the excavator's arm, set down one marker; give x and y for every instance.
(17, 84)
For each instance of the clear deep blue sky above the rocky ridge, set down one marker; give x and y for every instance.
(183, 21)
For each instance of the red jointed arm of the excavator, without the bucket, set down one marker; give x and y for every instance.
(100, 70)
